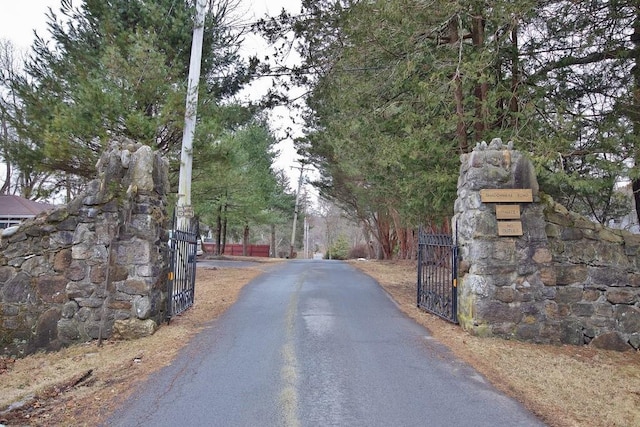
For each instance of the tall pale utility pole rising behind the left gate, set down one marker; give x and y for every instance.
(184, 209)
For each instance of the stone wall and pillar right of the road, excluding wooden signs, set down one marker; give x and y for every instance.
(564, 280)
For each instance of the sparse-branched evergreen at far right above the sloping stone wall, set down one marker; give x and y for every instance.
(589, 133)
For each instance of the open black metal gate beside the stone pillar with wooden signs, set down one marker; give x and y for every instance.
(438, 275)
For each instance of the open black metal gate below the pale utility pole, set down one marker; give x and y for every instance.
(182, 275)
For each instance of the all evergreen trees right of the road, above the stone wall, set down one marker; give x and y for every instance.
(399, 88)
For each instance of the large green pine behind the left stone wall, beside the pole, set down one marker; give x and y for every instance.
(117, 69)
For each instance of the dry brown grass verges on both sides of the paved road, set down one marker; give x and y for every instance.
(564, 386)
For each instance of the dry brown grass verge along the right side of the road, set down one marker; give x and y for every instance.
(563, 385)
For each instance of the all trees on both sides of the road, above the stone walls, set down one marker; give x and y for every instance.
(396, 90)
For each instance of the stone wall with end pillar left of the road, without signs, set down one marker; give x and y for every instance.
(93, 269)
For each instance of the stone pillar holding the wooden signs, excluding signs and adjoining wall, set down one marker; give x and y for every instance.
(502, 279)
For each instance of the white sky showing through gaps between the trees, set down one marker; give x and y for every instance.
(19, 18)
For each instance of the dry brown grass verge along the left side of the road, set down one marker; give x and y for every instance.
(82, 384)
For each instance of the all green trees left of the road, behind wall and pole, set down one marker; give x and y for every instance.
(119, 70)
